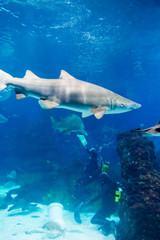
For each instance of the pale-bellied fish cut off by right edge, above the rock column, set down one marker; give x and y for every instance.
(152, 131)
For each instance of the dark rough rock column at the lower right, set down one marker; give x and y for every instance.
(139, 209)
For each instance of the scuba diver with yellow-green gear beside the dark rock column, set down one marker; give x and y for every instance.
(109, 196)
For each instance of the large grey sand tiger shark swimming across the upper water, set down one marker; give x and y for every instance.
(69, 93)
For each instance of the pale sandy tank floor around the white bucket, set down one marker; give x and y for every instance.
(20, 225)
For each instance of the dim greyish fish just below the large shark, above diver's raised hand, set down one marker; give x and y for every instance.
(68, 125)
